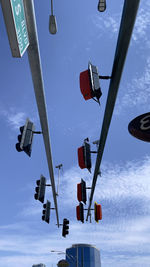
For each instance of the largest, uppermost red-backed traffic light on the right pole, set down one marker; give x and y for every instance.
(89, 83)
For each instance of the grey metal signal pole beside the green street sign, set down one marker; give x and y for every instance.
(37, 77)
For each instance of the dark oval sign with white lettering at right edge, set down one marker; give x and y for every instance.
(140, 127)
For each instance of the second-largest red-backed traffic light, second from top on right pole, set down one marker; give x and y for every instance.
(84, 156)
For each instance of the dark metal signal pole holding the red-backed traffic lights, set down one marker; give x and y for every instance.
(127, 23)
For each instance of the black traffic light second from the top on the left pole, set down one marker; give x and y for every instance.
(40, 189)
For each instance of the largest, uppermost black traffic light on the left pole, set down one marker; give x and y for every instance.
(25, 138)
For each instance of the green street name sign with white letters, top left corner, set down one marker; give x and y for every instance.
(14, 16)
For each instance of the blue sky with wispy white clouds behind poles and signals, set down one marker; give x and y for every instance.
(123, 190)
